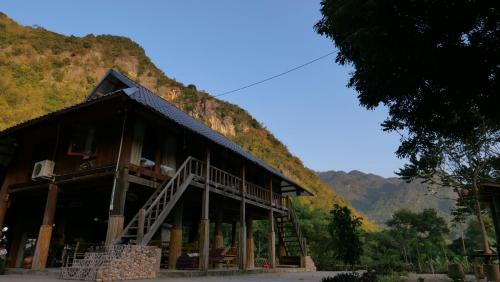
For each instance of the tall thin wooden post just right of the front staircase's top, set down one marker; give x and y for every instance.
(205, 221)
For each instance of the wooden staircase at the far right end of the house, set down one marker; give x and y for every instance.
(290, 234)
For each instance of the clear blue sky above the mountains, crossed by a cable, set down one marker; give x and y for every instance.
(223, 45)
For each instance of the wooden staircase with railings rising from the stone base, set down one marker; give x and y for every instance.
(146, 222)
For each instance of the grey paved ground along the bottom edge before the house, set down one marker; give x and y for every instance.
(265, 277)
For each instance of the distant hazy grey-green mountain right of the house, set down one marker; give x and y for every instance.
(378, 197)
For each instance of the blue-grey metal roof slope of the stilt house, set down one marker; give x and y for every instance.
(147, 98)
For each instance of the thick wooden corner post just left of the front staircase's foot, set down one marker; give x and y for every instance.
(116, 218)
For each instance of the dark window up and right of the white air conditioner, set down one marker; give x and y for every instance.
(82, 142)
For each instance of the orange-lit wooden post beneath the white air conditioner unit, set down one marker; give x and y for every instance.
(43, 242)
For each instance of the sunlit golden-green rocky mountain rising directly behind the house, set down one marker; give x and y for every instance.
(42, 71)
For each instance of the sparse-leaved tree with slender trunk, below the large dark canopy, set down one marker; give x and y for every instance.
(461, 164)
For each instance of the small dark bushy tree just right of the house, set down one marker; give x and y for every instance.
(345, 233)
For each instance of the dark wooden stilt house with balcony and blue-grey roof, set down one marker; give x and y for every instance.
(127, 167)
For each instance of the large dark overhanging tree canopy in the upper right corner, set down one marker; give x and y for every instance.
(434, 64)
